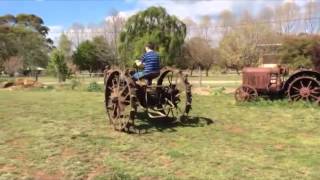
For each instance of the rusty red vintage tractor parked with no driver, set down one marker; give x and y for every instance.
(269, 81)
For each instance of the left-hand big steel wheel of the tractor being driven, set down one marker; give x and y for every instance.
(120, 101)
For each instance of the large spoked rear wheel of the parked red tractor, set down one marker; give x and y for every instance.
(304, 88)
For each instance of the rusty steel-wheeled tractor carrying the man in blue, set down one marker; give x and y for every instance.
(169, 98)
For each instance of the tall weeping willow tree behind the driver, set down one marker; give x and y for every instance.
(152, 25)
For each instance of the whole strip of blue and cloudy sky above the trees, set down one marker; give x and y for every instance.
(59, 15)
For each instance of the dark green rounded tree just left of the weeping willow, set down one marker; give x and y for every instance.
(93, 55)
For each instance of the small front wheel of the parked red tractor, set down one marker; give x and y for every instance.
(245, 93)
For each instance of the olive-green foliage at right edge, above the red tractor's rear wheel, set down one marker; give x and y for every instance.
(301, 51)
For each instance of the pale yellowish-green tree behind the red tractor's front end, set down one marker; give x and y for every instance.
(238, 47)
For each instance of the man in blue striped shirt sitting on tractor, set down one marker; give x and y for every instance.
(151, 65)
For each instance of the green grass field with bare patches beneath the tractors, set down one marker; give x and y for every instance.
(65, 135)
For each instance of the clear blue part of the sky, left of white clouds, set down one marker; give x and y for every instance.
(65, 12)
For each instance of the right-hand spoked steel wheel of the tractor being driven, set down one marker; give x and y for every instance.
(176, 85)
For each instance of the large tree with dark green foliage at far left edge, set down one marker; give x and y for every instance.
(24, 36)
